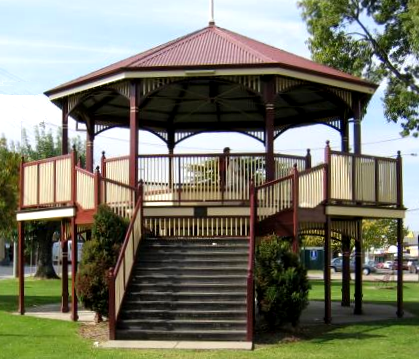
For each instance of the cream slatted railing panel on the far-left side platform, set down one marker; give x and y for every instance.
(46, 182)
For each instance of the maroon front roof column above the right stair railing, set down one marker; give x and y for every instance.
(269, 97)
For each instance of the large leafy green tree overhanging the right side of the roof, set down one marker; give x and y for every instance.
(376, 39)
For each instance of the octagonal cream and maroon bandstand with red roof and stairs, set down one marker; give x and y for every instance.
(212, 80)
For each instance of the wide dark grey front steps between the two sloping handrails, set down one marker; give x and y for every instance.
(187, 289)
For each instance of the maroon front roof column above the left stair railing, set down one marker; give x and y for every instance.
(133, 127)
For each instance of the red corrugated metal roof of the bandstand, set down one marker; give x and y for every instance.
(215, 47)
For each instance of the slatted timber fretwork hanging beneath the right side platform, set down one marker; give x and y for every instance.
(339, 229)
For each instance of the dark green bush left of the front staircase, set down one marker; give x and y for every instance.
(99, 254)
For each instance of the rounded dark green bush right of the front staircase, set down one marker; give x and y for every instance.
(281, 282)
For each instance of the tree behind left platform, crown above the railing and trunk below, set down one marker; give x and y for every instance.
(45, 146)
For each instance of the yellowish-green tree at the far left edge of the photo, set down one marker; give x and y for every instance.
(9, 184)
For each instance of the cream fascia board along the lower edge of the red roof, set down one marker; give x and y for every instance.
(218, 72)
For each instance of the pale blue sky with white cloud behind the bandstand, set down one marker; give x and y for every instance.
(45, 43)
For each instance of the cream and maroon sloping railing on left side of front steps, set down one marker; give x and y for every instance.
(118, 277)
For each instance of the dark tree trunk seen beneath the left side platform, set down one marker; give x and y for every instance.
(45, 269)
